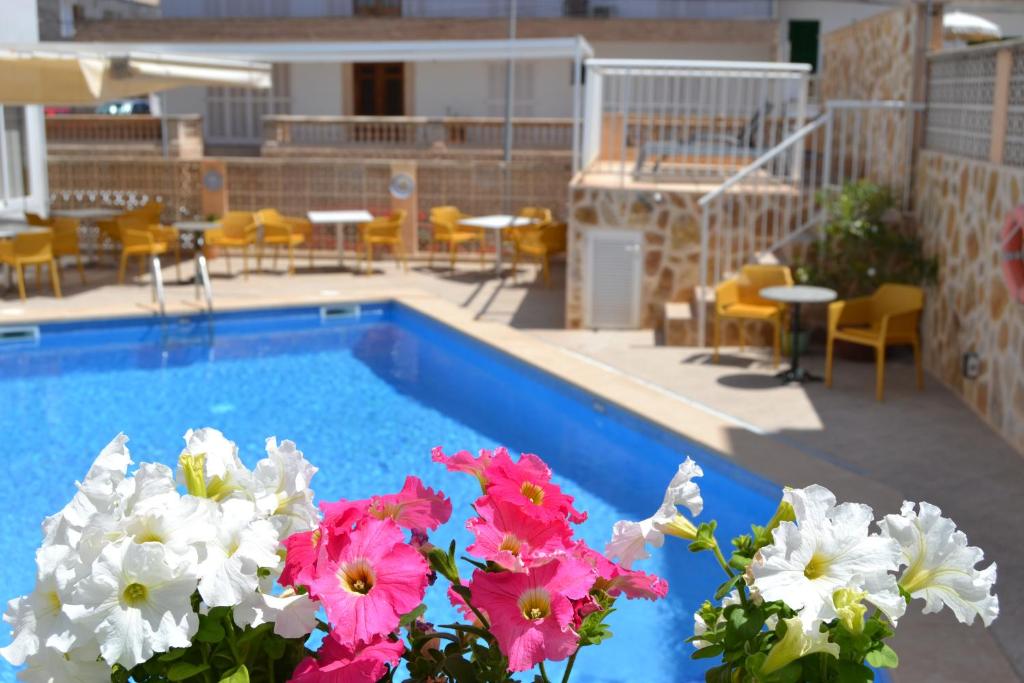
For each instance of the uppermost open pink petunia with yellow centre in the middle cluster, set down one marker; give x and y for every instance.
(528, 484)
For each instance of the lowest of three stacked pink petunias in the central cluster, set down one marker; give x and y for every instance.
(531, 614)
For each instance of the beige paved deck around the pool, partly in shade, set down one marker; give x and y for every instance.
(924, 446)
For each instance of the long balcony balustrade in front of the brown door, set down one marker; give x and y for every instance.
(449, 135)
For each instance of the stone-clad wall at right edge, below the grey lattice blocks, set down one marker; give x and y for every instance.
(962, 206)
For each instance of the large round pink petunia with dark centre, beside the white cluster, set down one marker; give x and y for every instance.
(367, 580)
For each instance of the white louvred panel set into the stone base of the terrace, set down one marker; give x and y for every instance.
(613, 278)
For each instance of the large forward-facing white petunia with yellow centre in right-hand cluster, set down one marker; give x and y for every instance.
(828, 548)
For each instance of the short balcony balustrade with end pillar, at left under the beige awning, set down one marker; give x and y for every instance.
(69, 134)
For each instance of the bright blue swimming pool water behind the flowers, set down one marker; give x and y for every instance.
(366, 400)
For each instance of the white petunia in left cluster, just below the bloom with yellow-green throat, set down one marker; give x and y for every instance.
(240, 547)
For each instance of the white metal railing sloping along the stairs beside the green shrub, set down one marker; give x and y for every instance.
(769, 204)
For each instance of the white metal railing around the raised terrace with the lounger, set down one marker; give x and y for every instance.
(656, 121)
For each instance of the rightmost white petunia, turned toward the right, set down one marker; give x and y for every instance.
(941, 567)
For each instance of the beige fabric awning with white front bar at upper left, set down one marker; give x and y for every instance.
(69, 75)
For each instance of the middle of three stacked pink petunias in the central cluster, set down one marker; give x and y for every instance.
(506, 534)
